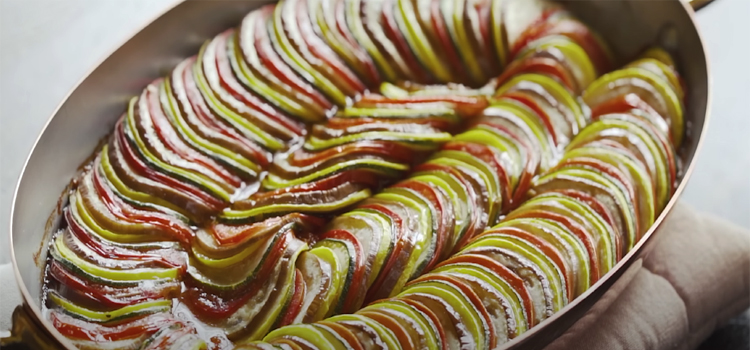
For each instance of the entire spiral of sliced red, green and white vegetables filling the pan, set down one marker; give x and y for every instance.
(235, 200)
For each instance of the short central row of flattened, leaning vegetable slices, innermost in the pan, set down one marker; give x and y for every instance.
(362, 148)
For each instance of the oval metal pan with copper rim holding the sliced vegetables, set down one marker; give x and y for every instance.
(90, 110)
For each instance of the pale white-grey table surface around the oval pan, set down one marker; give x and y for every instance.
(46, 46)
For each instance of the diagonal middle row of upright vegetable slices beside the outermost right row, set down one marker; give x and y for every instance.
(408, 228)
